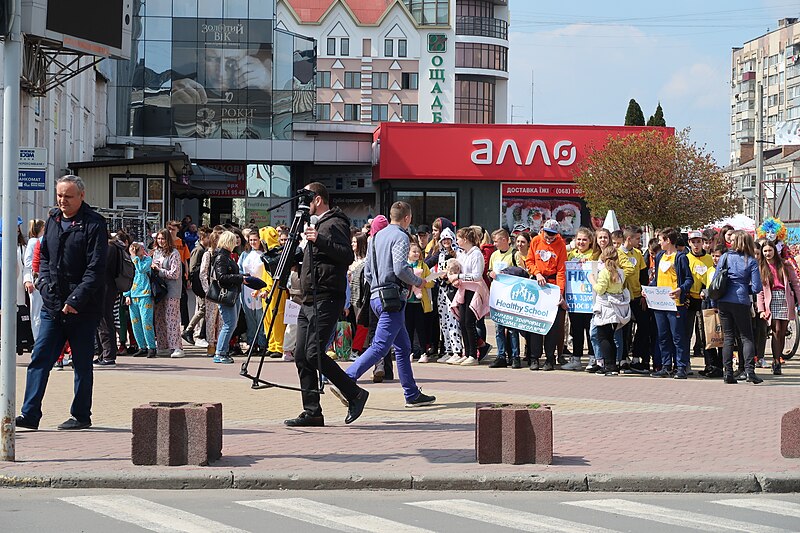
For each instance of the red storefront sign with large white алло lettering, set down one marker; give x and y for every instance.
(496, 152)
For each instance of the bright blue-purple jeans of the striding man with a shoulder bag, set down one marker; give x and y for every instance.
(391, 331)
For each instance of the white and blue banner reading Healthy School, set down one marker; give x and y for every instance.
(520, 303)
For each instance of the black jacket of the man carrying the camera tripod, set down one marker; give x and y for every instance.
(333, 254)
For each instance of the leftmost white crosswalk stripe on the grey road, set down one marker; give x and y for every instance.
(149, 515)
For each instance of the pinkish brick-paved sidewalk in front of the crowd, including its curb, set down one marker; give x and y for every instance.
(688, 433)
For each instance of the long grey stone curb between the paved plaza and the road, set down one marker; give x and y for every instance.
(159, 479)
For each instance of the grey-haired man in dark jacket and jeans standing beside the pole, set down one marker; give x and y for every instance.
(71, 279)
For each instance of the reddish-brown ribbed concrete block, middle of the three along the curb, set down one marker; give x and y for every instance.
(513, 434)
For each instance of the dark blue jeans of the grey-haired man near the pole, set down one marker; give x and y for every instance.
(54, 331)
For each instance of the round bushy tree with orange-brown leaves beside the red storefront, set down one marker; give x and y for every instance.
(655, 178)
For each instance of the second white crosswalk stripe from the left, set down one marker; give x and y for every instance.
(331, 516)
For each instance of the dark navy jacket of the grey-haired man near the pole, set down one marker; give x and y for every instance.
(72, 267)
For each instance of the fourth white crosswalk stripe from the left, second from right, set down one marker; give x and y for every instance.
(674, 517)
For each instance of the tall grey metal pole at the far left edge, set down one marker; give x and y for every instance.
(12, 70)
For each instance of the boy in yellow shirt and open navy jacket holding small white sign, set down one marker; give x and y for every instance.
(672, 270)
